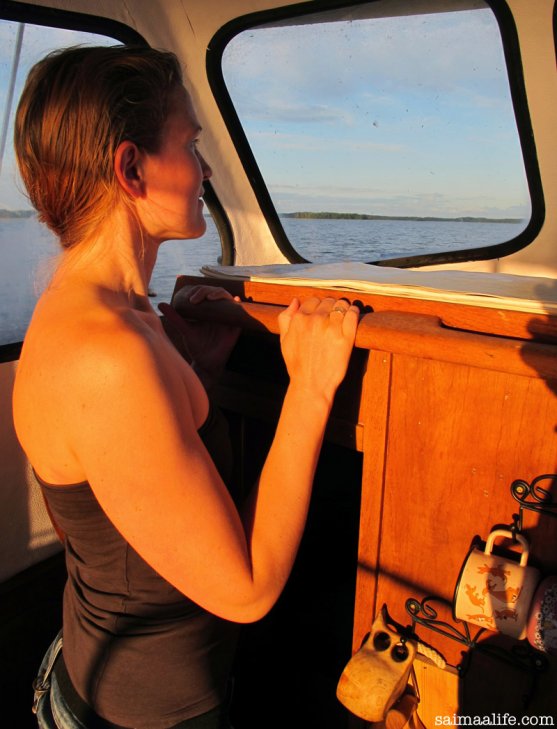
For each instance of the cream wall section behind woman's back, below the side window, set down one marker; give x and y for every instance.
(27, 534)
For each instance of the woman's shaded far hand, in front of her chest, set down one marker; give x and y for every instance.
(205, 345)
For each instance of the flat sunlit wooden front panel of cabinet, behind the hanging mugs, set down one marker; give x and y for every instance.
(457, 438)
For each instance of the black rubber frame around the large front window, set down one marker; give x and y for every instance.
(511, 50)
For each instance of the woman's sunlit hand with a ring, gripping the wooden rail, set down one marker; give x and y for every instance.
(317, 337)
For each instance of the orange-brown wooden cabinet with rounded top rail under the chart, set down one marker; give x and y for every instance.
(445, 419)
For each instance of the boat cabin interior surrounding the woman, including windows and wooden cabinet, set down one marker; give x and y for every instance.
(393, 122)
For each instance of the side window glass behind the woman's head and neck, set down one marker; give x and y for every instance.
(29, 251)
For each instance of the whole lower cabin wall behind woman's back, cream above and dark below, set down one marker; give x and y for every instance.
(32, 570)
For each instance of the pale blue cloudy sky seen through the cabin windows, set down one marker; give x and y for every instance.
(393, 116)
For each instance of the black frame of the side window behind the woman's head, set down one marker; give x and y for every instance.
(70, 20)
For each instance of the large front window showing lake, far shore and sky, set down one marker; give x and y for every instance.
(382, 135)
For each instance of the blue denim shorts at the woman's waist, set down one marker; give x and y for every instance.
(53, 712)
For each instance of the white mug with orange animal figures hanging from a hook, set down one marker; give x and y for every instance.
(496, 592)
